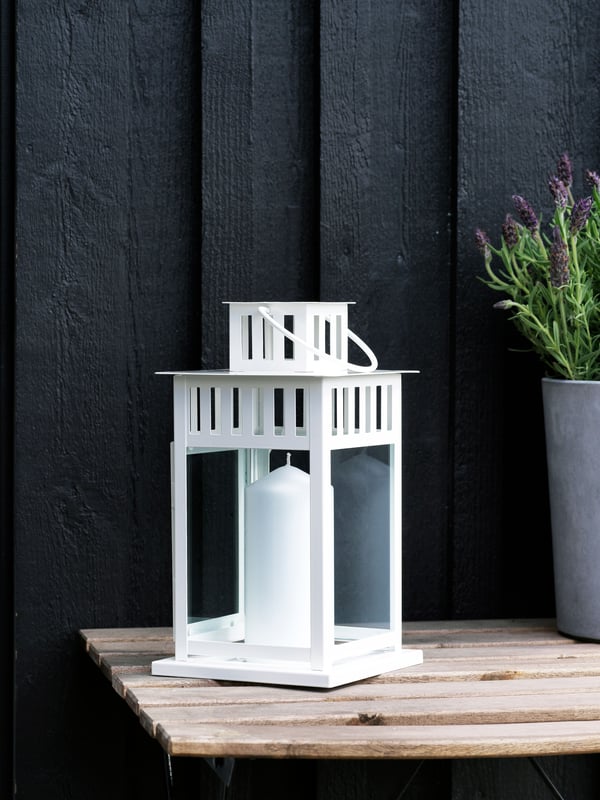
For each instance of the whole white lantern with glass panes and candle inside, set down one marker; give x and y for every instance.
(286, 487)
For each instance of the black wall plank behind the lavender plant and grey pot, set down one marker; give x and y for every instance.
(526, 93)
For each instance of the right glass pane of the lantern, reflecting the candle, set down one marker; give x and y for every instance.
(361, 484)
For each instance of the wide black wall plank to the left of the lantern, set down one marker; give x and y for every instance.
(105, 125)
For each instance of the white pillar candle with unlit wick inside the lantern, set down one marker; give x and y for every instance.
(277, 557)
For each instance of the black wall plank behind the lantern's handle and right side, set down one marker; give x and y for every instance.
(386, 170)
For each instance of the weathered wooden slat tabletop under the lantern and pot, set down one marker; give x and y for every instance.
(486, 688)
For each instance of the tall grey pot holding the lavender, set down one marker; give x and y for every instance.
(572, 422)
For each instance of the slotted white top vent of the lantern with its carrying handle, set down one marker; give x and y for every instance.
(293, 337)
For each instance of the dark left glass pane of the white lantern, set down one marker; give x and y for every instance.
(212, 535)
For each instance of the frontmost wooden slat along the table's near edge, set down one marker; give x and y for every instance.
(428, 741)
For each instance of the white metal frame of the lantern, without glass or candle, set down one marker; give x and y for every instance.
(252, 410)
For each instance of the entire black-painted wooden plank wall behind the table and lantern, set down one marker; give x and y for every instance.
(160, 156)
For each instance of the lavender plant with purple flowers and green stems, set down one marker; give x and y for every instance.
(551, 280)
